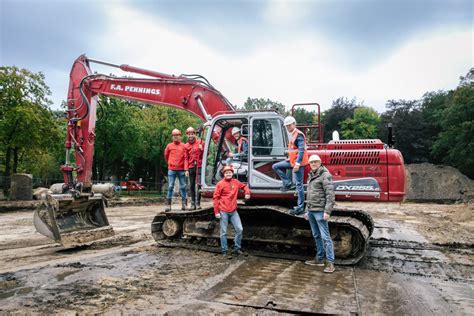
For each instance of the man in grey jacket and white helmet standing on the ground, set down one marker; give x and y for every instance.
(320, 202)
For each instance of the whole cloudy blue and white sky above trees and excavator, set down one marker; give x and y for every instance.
(288, 51)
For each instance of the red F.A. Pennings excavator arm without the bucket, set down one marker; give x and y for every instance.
(192, 93)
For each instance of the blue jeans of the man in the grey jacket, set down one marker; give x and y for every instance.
(321, 235)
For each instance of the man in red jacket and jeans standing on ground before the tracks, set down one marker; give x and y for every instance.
(225, 209)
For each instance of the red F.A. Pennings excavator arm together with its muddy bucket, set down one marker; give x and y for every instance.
(73, 213)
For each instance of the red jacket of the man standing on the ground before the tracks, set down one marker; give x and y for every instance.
(225, 195)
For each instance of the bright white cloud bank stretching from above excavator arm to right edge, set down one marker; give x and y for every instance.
(290, 70)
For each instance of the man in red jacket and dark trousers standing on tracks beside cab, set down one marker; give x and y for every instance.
(194, 149)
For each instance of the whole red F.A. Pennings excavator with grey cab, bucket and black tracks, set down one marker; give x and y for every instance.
(363, 170)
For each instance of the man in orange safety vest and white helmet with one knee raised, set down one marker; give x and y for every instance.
(297, 160)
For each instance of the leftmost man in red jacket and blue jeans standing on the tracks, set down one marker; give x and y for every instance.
(177, 159)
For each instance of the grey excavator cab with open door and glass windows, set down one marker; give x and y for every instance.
(267, 144)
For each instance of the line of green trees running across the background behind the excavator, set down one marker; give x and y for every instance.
(131, 136)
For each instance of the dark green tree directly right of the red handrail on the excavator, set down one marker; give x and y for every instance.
(341, 109)
